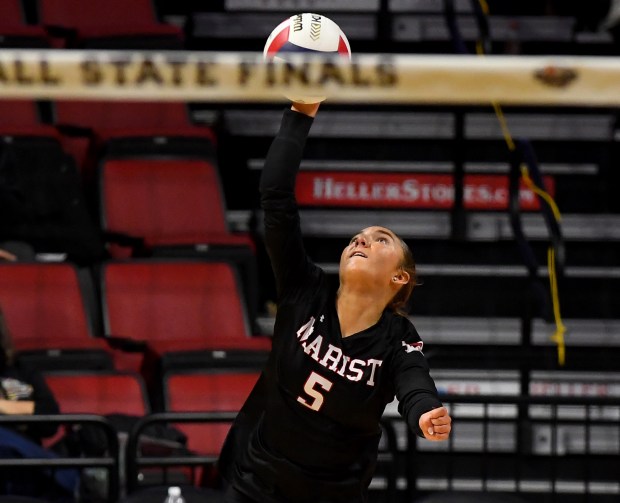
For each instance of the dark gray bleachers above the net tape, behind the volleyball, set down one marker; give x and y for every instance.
(381, 25)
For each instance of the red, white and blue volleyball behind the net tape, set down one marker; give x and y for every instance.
(306, 33)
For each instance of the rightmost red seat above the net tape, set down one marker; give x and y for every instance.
(109, 24)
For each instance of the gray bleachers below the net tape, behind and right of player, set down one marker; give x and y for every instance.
(498, 344)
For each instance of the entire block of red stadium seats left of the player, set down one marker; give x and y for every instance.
(147, 176)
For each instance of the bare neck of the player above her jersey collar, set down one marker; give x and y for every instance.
(357, 311)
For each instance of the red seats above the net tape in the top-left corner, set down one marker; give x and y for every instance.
(104, 24)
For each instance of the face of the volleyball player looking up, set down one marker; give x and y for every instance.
(374, 249)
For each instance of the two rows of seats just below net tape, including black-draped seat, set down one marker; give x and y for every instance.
(147, 183)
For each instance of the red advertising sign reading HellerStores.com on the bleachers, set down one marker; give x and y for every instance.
(409, 190)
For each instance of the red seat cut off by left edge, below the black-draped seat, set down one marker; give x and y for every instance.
(49, 317)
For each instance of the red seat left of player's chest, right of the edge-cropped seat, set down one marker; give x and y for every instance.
(189, 313)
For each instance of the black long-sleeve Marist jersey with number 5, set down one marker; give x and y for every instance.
(309, 431)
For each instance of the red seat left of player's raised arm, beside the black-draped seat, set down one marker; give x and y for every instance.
(172, 207)
